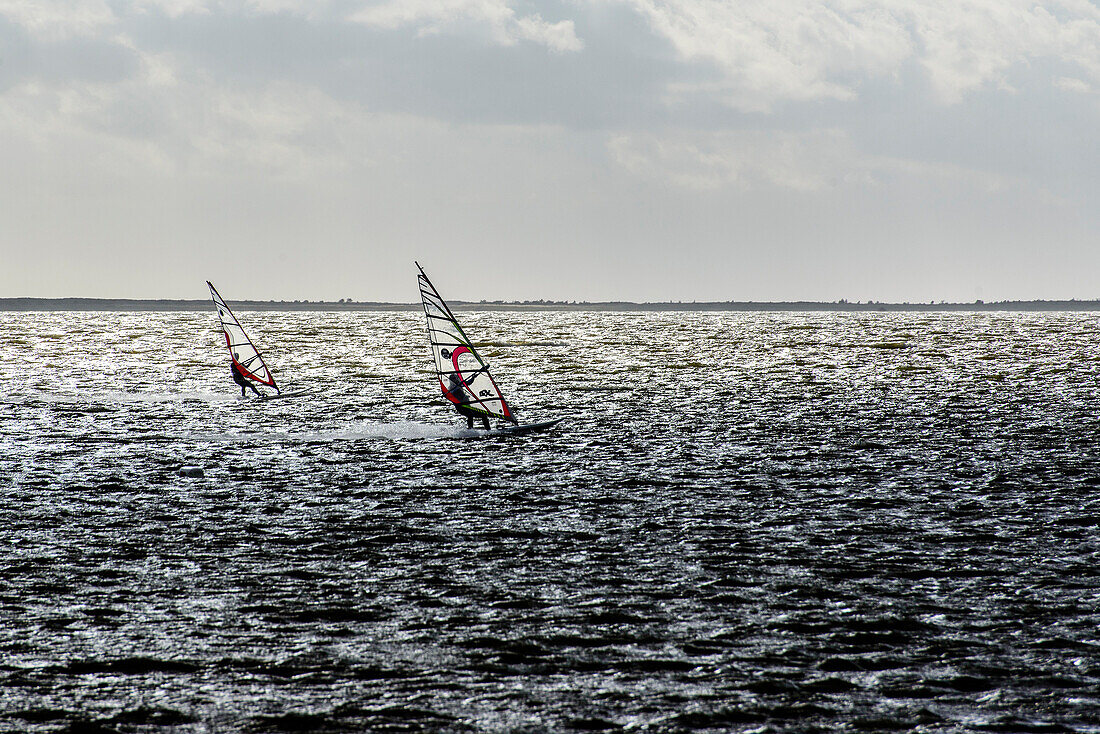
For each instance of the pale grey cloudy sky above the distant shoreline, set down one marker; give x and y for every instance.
(567, 150)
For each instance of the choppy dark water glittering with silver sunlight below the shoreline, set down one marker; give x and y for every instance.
(751, 522)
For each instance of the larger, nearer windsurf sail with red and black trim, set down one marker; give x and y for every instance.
(464, 375)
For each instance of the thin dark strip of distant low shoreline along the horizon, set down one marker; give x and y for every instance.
(164, 305)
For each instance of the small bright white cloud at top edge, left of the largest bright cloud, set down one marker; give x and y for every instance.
(507, 27)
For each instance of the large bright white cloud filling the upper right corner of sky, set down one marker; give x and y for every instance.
(811, 50)
